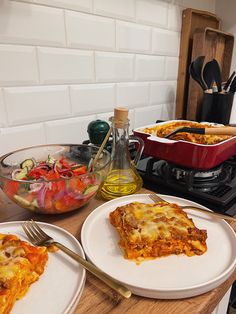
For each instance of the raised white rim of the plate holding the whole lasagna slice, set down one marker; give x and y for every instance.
(218, 280)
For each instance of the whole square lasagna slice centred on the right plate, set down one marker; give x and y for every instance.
(154, 230)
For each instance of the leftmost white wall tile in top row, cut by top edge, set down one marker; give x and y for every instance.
(77, 5)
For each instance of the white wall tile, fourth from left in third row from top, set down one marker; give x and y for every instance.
(149, 68)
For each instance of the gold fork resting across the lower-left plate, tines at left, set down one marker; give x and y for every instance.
(39, 238)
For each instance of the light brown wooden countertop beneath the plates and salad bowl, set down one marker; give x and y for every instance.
(98, 298)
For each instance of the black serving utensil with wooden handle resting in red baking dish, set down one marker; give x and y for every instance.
(207, 131)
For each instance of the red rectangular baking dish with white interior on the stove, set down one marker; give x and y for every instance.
(186, 154)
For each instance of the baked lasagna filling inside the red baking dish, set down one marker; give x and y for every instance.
(161, 130)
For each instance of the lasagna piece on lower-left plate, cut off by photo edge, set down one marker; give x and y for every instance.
(21, 264)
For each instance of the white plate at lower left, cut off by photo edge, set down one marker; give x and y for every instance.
(60, 286)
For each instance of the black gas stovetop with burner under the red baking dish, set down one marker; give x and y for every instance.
(214, 188)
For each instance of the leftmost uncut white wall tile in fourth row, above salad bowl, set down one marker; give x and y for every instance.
(34, 104)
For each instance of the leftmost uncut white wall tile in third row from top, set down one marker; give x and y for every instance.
(60, 65)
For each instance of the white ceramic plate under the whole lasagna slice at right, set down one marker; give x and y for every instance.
(170, 277)
